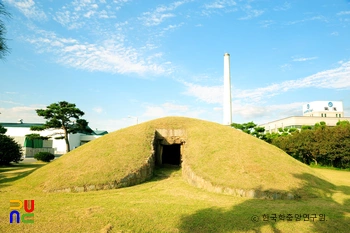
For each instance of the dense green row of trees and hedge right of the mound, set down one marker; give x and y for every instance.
(320, 144)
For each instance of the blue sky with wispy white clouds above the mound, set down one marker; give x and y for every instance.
(149, 59)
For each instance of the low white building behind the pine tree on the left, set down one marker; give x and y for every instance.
(19, 130)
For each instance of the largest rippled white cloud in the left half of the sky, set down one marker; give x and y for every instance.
(109, 55)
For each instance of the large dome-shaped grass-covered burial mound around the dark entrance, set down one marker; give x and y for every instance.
(219, 154)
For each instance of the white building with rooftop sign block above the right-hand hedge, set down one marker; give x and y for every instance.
(314, 112)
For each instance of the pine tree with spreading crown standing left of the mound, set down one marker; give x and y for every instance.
(65, 116)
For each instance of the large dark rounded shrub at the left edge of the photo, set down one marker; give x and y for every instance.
(10, 150)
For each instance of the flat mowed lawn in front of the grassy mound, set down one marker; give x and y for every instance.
(168, 204)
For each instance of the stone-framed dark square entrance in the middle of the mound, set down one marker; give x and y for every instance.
(169, 146)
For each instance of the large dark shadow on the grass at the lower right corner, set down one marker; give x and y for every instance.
(256, 215)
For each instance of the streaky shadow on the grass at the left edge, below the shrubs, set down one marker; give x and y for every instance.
(15, 172)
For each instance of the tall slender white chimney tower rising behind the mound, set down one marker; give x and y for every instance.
(227, 106)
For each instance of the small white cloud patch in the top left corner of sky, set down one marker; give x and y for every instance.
(29, 9)
